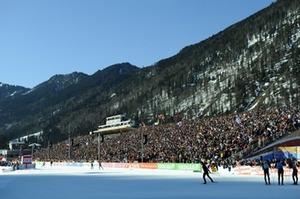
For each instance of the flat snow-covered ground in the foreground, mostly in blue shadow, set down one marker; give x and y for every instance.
(58, 182)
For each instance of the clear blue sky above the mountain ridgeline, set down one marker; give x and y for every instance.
(41, 38)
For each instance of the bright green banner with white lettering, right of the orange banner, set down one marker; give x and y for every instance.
(179, 166)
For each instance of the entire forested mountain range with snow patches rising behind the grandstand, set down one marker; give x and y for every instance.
(253, 64)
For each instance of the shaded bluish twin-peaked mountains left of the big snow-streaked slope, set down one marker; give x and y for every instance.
(61, 96)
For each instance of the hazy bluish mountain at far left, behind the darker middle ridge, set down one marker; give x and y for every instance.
(18, 102)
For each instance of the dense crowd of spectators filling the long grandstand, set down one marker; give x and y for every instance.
(219, 139)
